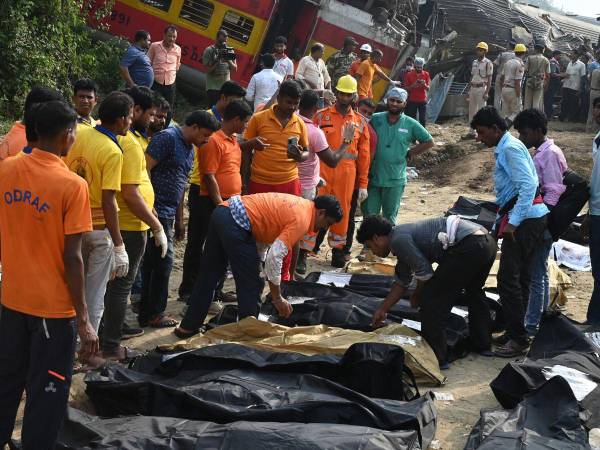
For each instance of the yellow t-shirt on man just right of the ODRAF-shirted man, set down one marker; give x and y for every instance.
(99, 160)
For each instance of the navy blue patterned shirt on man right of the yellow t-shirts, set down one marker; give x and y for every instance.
(170, 176)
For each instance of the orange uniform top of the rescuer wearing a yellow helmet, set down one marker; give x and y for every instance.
(331, 121)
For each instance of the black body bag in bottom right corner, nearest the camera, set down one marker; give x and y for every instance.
(546, 419)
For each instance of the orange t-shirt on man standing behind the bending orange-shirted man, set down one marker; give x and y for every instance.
(222, 157)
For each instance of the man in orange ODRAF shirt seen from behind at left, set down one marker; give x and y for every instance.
(43, 300)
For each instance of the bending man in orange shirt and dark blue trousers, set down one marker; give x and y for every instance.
(236, 228)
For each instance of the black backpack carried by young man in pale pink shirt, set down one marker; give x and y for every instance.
(570, 203)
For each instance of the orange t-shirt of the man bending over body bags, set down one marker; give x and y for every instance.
(279, 216)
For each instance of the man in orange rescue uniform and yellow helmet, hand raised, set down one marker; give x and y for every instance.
(340, 180)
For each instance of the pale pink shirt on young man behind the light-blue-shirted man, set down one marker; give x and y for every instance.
(550, 165)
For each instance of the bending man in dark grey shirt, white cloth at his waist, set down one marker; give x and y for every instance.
(464, 252)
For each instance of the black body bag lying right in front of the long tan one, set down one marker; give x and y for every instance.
(365, 367)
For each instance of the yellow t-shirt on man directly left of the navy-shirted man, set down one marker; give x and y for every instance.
(134, 172)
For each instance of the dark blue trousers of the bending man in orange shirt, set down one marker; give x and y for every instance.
(226, 243)
